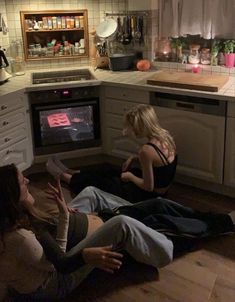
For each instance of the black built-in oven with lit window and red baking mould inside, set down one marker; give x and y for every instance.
(65, 119)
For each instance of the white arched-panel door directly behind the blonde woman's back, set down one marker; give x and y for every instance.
(199, 141)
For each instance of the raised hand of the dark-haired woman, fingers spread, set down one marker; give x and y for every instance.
(55, 193)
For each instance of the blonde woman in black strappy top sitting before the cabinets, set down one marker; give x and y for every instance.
(157, 159)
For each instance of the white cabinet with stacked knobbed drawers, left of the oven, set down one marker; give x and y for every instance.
(15, 131)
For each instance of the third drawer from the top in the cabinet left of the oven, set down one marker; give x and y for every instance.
(11, 137)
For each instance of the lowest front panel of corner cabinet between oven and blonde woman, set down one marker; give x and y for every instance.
(118, 145)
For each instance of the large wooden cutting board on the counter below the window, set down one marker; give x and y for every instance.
(187, 80)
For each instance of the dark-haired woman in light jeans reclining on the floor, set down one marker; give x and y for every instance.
(44, 259)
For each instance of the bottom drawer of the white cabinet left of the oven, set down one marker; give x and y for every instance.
(17, 154)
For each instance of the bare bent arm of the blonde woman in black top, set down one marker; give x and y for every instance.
(147, 181)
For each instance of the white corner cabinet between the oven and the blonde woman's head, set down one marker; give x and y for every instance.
(116, 102)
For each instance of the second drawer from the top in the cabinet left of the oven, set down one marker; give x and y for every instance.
(11, 120)
